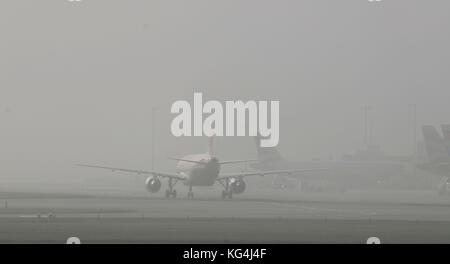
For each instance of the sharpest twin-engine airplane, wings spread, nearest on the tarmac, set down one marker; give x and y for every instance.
(199, 170)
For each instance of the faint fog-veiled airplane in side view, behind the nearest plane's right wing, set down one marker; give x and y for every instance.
(339, 175)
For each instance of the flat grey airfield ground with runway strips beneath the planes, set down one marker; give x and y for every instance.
(413, 217)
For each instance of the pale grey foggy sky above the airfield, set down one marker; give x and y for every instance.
(78, 80)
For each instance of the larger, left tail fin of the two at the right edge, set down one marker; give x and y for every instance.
(435, 145)
